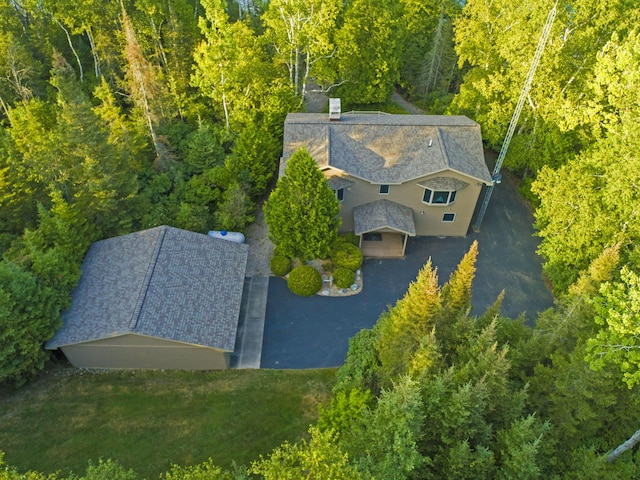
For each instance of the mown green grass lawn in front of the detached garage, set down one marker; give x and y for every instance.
(147, 420)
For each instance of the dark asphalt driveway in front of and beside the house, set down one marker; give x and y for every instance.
(314, 332)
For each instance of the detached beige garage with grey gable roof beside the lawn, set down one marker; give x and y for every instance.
(162, 298)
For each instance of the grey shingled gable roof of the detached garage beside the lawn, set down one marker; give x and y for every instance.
(163, 282)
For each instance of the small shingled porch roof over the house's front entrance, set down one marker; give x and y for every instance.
(383, 214)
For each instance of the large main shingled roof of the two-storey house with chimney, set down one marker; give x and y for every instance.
(389, 149)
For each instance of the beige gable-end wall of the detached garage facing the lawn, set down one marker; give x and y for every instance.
(136, 351)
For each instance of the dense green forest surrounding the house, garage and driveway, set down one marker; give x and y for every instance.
(120, 116)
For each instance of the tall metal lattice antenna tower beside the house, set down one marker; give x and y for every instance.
(496, 176)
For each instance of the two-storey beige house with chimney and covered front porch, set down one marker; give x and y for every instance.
(395, 175)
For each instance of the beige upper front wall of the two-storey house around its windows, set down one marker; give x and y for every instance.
(427, 218)
